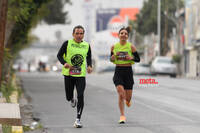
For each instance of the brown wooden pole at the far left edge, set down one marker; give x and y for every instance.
(3, 17)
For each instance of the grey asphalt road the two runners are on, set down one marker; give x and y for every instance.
(171, 106)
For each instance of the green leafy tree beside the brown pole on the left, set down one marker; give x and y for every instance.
(21, 17)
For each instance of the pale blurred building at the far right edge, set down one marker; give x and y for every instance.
(192, 38)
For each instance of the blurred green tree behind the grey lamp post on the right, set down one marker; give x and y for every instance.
(147, 19)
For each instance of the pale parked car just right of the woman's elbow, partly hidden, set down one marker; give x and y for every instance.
(141, 68)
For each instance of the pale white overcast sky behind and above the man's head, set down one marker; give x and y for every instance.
(77, 11)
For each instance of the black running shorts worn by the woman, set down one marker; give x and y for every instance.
(124, 76)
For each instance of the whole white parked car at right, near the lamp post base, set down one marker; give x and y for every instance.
(163, 65)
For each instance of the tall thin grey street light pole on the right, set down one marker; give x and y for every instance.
(158, 27)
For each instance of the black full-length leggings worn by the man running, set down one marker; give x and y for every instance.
(80, 83)
